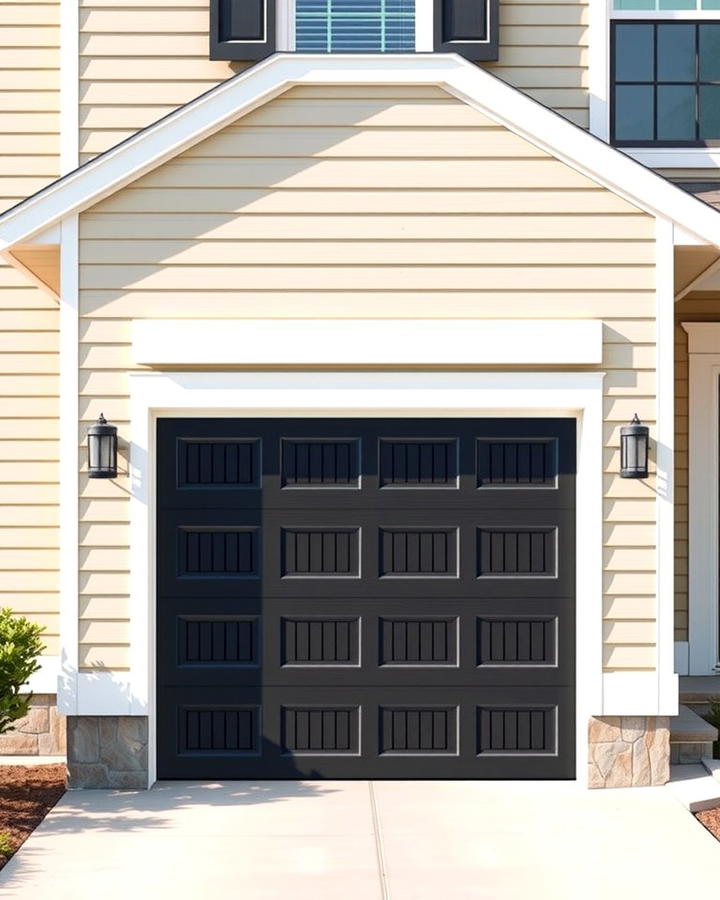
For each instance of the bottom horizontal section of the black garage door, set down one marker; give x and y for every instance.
(332, 732)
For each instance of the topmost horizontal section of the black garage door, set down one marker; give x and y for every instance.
(230, 463)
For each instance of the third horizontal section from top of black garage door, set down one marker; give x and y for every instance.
(376, 643)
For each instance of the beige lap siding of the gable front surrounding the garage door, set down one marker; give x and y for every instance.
(368, 202)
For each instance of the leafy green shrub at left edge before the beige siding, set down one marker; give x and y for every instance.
(20, 645)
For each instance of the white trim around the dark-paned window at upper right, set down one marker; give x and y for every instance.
(601, 15)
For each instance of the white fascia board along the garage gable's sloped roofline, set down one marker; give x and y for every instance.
(236, 97)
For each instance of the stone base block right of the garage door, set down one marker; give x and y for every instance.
(628, 751)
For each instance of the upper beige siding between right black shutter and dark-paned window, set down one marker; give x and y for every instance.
(543, 52)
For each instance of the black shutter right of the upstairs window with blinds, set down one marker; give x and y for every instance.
(467, 27)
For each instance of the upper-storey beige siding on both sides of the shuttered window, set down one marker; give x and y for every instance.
(140, 60)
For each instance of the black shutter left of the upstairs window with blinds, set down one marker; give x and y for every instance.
(242, 29)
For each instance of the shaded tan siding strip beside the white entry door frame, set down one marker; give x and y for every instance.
(700, 306)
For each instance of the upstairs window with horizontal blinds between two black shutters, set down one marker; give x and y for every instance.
(355, 26)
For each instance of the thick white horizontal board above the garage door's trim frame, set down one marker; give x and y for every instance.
(378, 342)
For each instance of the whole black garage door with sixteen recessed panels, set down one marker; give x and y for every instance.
(366, 598)
